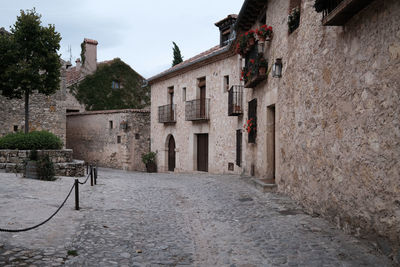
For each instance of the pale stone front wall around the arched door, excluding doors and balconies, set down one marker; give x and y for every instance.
(220, 128)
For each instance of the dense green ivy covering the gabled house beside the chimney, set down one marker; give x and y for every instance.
(113, 85)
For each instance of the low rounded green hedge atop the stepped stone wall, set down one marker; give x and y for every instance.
(31, 141)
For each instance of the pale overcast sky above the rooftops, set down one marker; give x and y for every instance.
(138, 32)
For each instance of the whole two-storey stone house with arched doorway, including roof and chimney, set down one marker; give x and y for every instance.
(190, 127)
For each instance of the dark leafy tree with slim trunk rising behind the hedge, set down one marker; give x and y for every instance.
(29, 59)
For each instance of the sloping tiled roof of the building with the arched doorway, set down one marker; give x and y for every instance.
(216, 50)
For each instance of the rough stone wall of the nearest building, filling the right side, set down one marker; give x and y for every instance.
(337, 118)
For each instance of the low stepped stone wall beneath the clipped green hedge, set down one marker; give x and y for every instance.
(14, 161)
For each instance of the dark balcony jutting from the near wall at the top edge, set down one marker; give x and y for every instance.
(338, 12)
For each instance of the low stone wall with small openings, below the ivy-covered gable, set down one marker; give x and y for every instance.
(114, 139)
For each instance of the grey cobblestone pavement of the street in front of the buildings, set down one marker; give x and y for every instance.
(140, 219)
